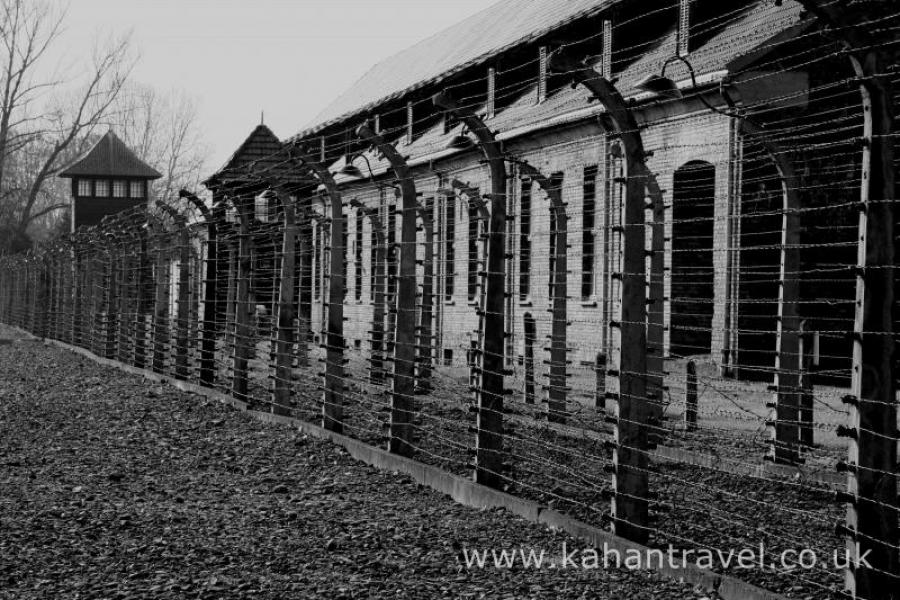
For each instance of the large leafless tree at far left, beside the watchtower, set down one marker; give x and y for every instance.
(45, 119)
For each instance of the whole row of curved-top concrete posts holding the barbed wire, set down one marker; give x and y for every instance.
(110, 290)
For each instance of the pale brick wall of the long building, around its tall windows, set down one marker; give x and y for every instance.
(698, 137)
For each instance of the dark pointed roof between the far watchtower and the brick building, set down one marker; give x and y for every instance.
(261, 156)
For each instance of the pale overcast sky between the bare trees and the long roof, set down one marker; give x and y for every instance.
(289, 58)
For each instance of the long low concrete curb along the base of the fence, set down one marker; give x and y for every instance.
(462, 490)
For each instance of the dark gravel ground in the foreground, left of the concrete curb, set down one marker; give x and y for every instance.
(113, 487)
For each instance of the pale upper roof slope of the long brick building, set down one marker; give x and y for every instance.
(503, 25)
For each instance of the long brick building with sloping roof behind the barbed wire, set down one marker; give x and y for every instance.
(721, 253)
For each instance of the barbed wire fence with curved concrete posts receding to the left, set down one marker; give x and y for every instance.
(554, 325)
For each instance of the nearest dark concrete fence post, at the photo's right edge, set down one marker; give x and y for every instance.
(872, 524)
